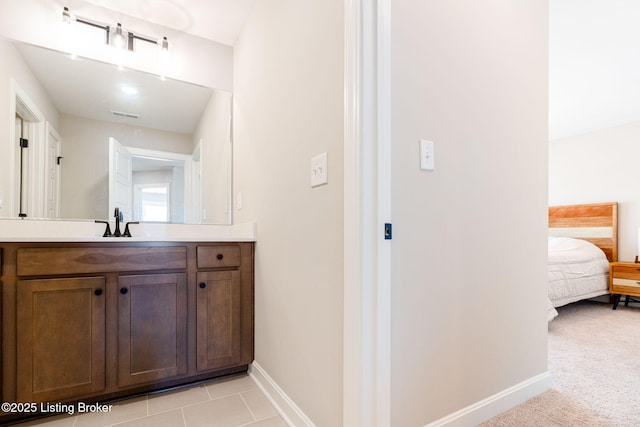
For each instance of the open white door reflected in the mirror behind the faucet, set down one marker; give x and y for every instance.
(120, 179)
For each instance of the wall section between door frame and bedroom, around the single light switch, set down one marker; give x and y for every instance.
(469, 244)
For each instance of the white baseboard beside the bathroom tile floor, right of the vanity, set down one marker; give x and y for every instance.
(285, 406)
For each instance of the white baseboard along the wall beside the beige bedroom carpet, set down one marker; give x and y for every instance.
(494, 405)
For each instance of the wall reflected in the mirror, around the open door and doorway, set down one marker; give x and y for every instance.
(85, 164)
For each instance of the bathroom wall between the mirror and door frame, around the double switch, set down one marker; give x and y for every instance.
(288, 108)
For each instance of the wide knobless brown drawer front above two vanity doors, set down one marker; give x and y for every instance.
(76, 260)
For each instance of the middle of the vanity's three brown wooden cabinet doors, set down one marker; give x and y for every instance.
(152, 328)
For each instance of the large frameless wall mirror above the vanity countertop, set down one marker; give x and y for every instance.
(89, 136)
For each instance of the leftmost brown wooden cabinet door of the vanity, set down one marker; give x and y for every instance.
(60, 338)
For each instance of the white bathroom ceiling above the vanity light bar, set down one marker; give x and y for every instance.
(217, 20)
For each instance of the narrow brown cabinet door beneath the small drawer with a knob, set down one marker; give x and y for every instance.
(218, 319)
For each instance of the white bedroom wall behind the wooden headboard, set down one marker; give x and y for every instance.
(600, 167)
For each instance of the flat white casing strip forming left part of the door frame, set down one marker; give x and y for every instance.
(356, 360)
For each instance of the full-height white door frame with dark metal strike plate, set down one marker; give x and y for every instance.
(367, 207)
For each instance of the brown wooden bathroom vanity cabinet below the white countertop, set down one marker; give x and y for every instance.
(86, 321)
